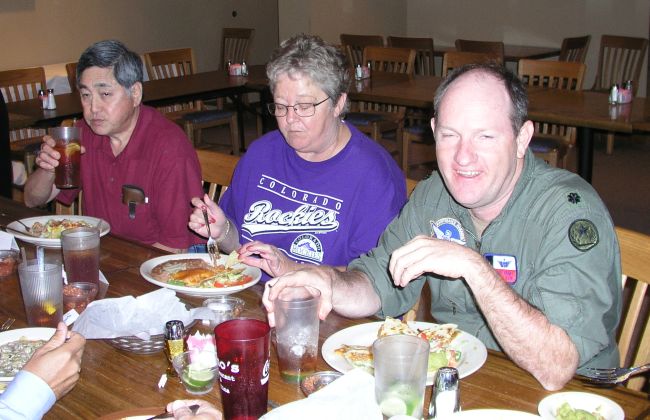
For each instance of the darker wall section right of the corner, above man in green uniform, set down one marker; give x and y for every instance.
(530, 22)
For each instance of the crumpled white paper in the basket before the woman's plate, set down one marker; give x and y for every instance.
(142, 316)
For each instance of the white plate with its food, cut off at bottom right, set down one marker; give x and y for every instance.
(583, 405)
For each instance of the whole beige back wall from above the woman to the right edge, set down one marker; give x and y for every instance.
(524, 22)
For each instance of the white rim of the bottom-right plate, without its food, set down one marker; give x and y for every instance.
(582, 400)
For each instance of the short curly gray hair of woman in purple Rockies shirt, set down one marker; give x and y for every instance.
(310, 56)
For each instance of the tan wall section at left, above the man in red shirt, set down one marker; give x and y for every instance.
(40, 32)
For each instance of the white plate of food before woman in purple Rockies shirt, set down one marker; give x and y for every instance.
(194, 275)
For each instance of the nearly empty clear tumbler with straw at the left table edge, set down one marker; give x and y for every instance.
(41, 284)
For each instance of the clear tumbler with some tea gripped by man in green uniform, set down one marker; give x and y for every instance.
(296, 332)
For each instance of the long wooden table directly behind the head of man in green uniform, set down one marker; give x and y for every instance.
(589, 111)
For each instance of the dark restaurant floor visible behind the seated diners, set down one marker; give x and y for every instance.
(622, 179)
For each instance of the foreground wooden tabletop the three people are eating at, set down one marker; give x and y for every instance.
(114, 380)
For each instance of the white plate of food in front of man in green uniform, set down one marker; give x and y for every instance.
(352, 347)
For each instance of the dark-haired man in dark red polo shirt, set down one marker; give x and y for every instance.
(125, 144)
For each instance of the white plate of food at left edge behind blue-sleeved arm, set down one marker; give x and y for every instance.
(17, 346)
